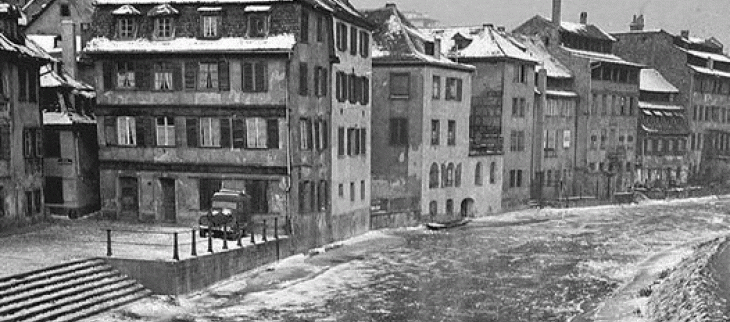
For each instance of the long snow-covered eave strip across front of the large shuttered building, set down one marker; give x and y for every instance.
(278, 43)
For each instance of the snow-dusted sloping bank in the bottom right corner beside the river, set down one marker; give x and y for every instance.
(691, 292)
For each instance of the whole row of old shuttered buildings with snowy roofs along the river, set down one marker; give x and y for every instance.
(342, 120)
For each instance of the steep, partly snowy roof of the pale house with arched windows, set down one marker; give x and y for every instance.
(395, 39)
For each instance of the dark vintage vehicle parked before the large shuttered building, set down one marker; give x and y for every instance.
(229, 216)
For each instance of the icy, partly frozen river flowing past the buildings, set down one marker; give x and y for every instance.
(550, 268)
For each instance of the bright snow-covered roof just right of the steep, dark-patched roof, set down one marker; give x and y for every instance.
(485, 42)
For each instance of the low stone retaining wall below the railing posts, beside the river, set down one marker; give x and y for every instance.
(188, 275)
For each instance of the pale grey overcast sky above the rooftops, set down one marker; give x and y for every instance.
(703, 18)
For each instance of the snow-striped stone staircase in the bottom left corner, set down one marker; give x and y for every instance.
(67, 292)
